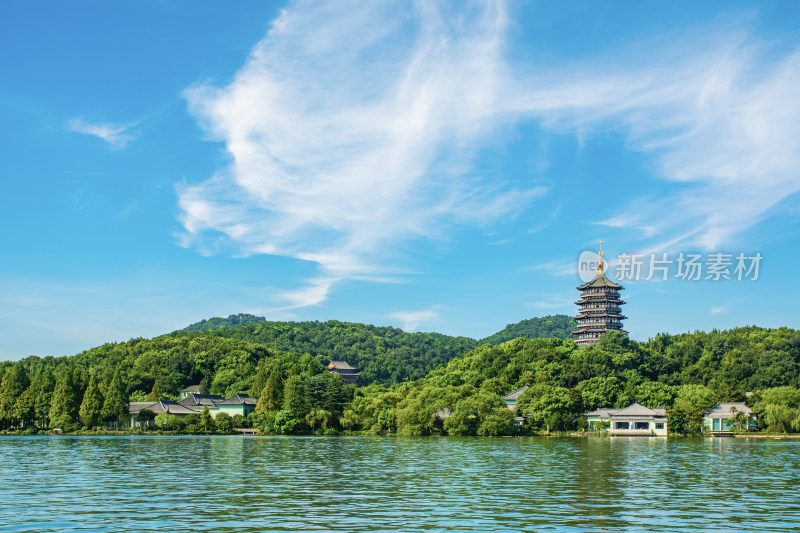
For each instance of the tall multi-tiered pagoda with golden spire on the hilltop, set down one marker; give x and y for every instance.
(599, 307)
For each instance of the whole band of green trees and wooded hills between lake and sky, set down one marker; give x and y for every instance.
(410, 383)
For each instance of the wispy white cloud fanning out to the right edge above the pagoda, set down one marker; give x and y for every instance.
(716, 109)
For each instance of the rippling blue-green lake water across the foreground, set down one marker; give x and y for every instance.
(221, 484)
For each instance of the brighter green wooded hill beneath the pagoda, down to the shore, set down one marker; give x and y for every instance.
(684, 373)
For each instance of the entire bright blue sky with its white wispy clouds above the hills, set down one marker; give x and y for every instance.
(433, 166)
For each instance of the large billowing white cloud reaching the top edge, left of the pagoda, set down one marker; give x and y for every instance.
(347, 139)
